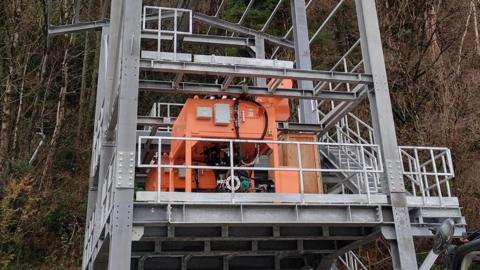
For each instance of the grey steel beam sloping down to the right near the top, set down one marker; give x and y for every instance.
(232, 27)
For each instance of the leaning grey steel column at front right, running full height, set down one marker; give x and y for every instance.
(403, 249)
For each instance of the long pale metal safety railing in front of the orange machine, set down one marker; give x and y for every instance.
(363, 151)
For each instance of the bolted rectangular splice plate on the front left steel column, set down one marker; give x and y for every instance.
(125, 170)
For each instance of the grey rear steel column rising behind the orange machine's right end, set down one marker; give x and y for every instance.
(307, 109)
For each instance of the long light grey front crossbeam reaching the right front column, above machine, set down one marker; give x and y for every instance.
(253, 71)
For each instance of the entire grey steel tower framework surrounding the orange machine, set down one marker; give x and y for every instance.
(174, 230)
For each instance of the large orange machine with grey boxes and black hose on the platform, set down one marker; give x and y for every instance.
(226, 118)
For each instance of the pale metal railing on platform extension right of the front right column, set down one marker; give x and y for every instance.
(427, 170)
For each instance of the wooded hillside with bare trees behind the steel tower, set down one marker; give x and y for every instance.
(47, 97)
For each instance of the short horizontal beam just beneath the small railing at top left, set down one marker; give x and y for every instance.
(205, 39)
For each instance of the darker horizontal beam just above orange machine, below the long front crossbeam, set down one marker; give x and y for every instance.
(232, 90)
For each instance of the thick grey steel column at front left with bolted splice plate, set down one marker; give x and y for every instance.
(122, 214)
